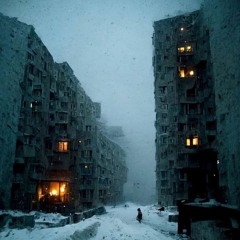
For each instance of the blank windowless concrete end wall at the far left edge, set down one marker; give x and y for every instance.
(12, 59)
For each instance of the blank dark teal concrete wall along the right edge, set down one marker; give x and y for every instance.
(223, 17)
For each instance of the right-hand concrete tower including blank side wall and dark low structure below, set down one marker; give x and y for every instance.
(197, 117)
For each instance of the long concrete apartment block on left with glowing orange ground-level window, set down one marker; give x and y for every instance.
(54, 154)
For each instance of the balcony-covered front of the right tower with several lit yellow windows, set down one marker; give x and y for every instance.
(186, 156)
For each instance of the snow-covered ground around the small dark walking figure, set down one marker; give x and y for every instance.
(118, 223)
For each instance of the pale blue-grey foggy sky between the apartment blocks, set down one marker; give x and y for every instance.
(108, 44)
